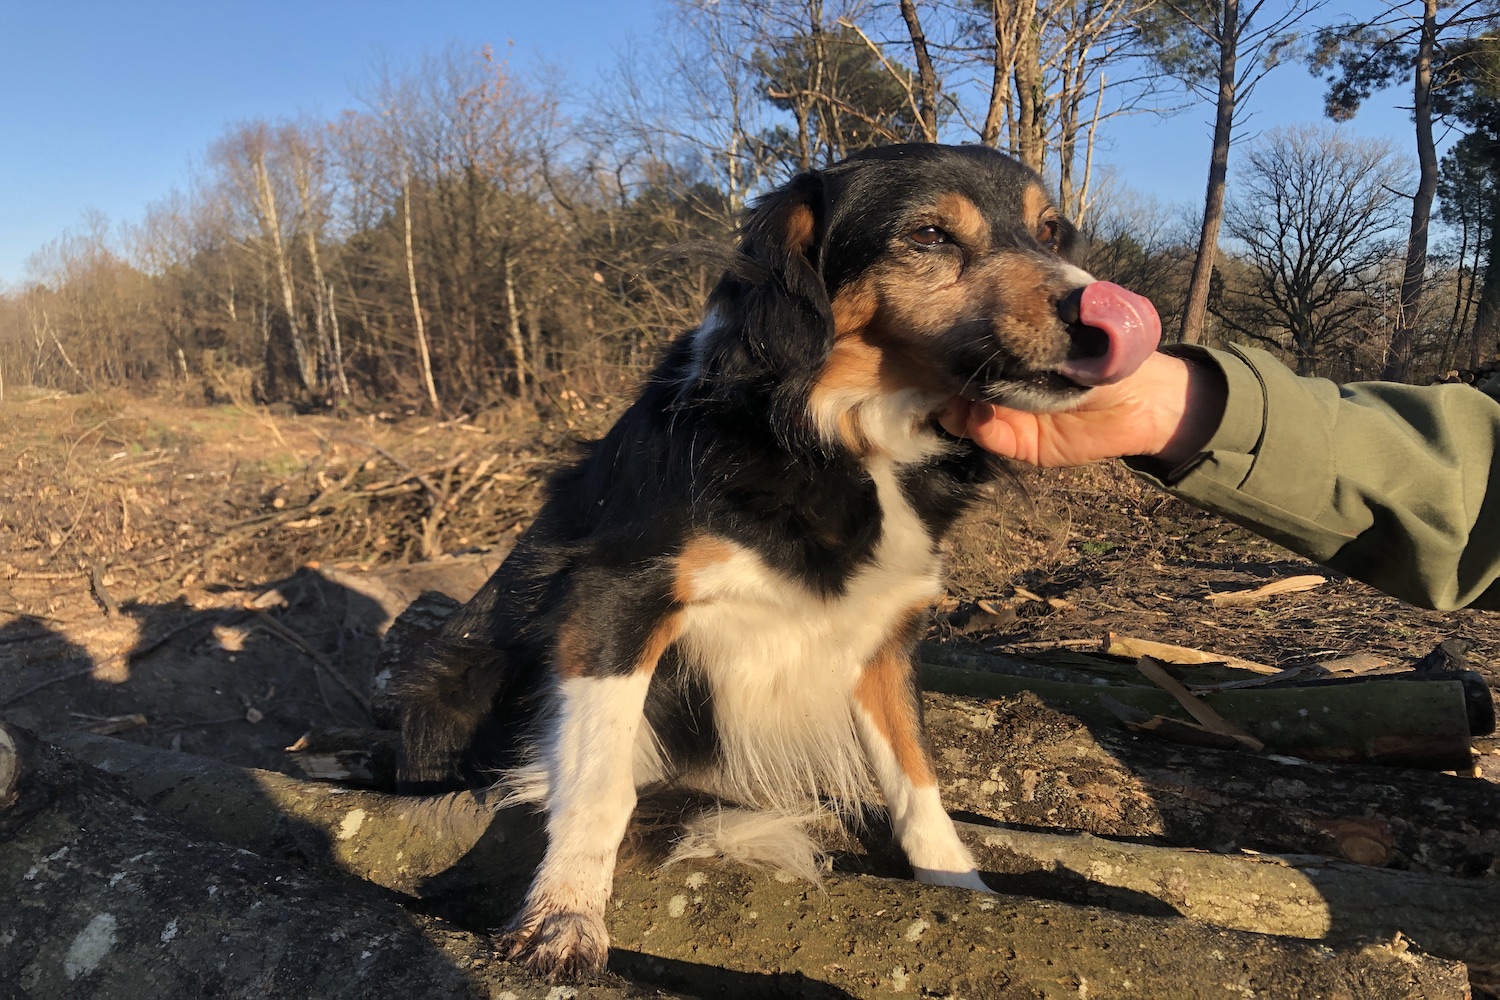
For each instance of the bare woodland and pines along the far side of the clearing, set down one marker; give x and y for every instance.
(467, 235)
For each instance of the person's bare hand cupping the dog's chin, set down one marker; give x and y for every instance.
(1168, 410)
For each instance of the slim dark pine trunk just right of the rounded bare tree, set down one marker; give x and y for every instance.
(1414, 278)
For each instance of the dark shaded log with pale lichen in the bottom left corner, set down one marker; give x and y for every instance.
(106, 899)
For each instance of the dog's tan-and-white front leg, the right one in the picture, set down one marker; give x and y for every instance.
(889, 716)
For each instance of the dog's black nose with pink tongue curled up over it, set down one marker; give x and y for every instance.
(1112, 334)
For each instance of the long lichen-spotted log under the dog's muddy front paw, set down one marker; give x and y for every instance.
(719, 930)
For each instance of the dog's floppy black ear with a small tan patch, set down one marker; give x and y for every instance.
(779, 302)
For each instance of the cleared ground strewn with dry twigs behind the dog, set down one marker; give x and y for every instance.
(211, 579)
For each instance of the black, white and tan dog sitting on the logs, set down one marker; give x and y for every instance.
(724, 593)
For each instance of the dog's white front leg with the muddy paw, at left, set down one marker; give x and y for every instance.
(592, 794)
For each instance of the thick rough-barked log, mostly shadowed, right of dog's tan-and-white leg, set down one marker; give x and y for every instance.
(1021, 762)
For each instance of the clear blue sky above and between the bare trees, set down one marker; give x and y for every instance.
(107, 106)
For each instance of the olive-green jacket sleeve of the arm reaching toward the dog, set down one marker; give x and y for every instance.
(1393, 485)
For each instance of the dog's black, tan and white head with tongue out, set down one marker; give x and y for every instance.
(911, 274)
